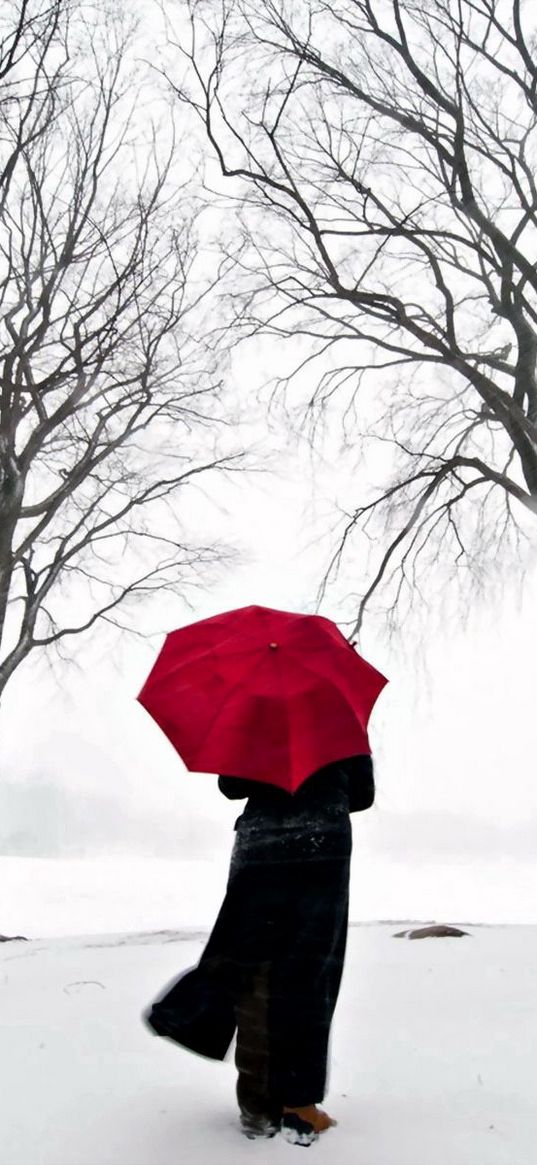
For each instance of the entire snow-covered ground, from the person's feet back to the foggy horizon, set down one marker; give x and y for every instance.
(435, 1042)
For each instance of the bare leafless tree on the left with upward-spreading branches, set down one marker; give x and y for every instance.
(110, 394)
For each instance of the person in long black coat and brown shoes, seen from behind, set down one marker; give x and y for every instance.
(274, 961)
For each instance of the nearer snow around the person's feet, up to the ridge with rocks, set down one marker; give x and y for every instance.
(434, 1056)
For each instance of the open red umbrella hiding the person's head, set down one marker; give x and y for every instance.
(263, 694)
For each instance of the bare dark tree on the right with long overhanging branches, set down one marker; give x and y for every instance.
(384, 157)
